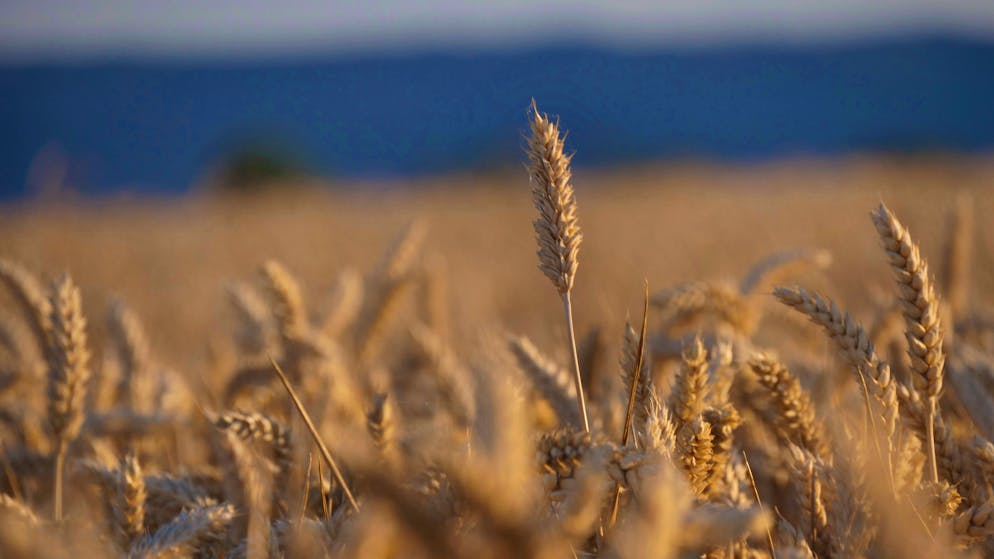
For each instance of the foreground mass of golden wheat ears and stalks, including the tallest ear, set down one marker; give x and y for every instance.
(316, 434)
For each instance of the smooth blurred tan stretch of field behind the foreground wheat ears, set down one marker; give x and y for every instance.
(172, 260)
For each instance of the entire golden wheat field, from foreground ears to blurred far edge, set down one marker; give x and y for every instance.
(792, 359)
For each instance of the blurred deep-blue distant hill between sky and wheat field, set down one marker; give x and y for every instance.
(159, 125)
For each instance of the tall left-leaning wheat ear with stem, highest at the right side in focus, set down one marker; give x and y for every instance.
(921, 316)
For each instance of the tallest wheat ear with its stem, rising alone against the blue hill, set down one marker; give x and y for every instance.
(556, 228)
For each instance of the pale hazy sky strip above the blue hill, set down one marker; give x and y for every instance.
(83, 28)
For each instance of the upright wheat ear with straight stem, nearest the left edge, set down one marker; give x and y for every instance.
(68, 374)
